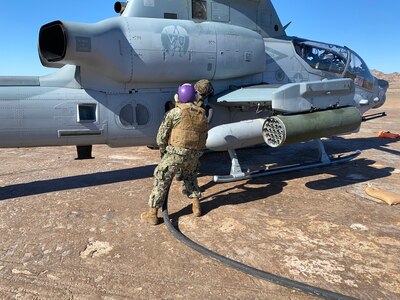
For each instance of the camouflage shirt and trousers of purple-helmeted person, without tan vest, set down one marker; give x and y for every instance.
(174, 159)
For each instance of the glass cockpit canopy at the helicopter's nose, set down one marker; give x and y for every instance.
(335, 59)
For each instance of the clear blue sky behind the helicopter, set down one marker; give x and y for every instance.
(369, 27)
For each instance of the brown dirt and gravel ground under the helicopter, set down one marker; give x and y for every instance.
(70, 229)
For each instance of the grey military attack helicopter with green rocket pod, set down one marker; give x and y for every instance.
(116, 79)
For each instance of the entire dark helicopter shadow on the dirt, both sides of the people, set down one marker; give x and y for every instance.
(358, 170)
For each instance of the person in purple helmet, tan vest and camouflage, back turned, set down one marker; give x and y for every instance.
(181, 138)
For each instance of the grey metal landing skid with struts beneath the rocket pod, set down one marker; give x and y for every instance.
(323, 160)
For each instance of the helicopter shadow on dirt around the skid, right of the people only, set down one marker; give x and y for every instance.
(353, 172)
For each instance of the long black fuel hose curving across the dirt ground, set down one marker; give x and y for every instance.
(292, 284)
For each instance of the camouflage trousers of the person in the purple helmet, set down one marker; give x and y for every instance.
(187, 164)
